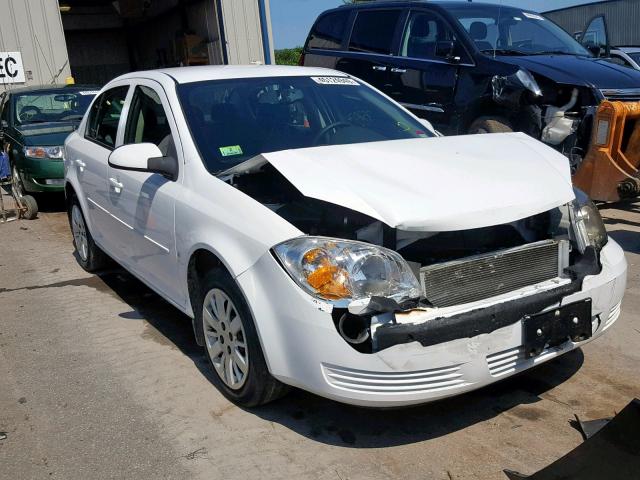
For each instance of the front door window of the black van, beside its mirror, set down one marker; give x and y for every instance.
(424, 30)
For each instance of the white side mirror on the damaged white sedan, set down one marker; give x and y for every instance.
(144, 157)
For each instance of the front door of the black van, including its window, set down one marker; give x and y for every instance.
(424, 79)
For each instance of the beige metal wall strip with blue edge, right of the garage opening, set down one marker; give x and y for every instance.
(243, 31)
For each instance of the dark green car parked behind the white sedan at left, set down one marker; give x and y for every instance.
(35, 122)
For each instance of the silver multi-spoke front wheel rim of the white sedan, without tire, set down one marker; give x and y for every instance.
(225, 339)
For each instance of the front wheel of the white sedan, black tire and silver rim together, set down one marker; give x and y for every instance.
(231, 343)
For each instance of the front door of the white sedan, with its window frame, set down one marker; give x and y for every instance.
(146, 201)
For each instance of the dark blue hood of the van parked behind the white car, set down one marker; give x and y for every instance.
(576, 70)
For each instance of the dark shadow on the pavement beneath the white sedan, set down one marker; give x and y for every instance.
(333, 423)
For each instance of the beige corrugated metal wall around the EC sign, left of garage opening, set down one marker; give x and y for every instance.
(34, 28)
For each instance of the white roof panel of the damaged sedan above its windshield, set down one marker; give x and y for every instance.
(227, 72)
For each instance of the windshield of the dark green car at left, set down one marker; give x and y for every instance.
(62, 105)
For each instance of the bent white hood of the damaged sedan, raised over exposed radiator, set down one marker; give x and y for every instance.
(432, 184)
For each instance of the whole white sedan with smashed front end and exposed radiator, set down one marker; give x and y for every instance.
(321, 236)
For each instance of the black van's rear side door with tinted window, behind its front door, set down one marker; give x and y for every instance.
(373, 39)
